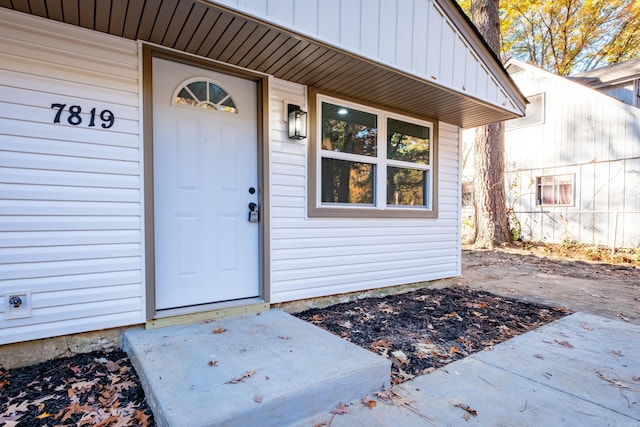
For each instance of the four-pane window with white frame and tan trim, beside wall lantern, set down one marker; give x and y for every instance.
(371, 160)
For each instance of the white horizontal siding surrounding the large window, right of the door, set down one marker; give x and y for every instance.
(319, 256)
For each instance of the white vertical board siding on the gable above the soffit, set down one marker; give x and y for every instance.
(414, 36)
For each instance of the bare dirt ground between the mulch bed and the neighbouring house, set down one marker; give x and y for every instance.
(610, 290)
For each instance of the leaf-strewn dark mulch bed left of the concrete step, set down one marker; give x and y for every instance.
(93, 389)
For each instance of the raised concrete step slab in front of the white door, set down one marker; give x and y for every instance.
(270, 369)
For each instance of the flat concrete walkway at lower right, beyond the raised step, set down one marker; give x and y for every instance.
(583, 370)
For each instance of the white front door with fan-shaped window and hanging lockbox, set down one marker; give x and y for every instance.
(205, 167)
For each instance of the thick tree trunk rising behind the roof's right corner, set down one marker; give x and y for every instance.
(491, 223)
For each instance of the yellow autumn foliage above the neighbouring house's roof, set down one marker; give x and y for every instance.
(568, 36)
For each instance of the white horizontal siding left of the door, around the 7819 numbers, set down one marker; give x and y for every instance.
(70, 198)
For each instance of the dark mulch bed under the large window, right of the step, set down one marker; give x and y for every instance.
(429, 328)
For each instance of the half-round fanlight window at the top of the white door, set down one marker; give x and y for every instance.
(205, 94)
